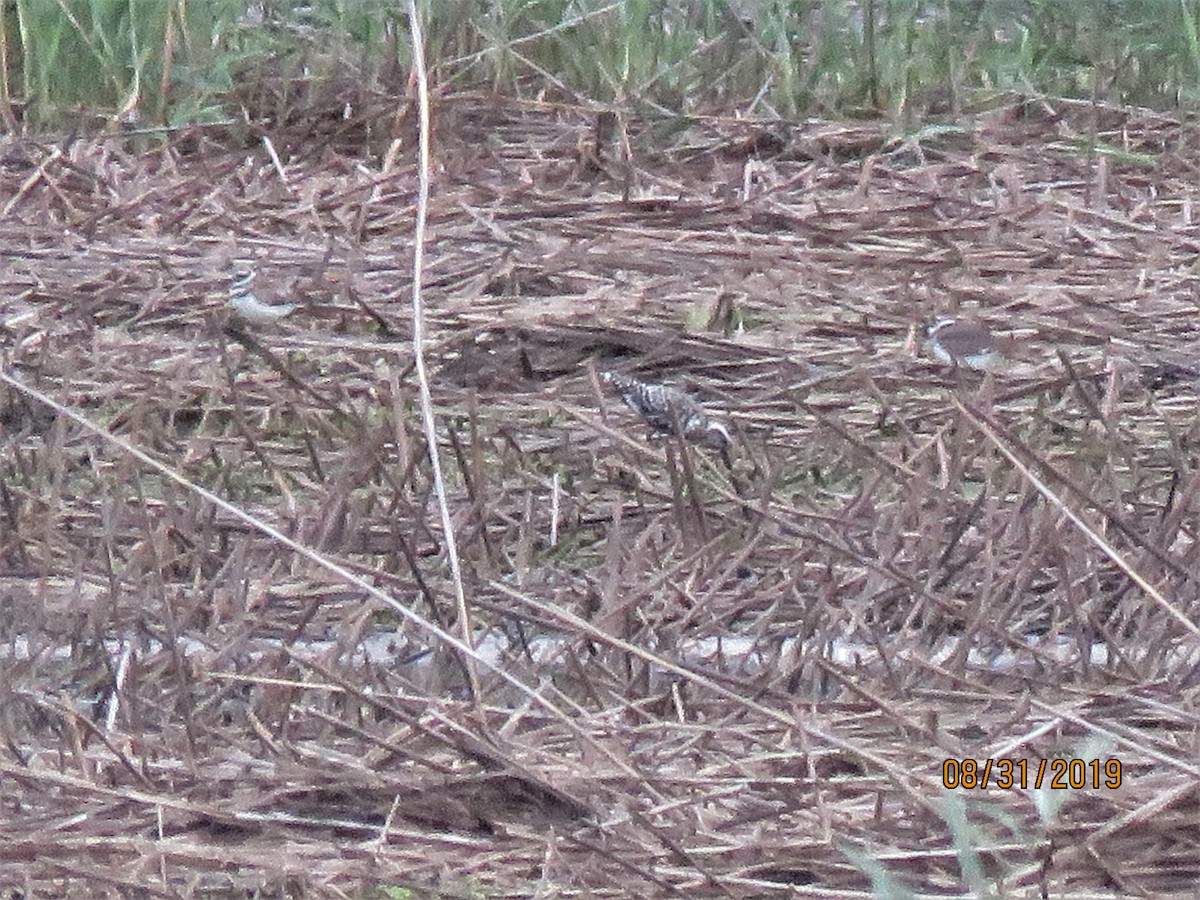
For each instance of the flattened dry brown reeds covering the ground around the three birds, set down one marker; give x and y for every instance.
(194, 709)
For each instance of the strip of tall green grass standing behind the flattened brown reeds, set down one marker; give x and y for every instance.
(181, 62)
